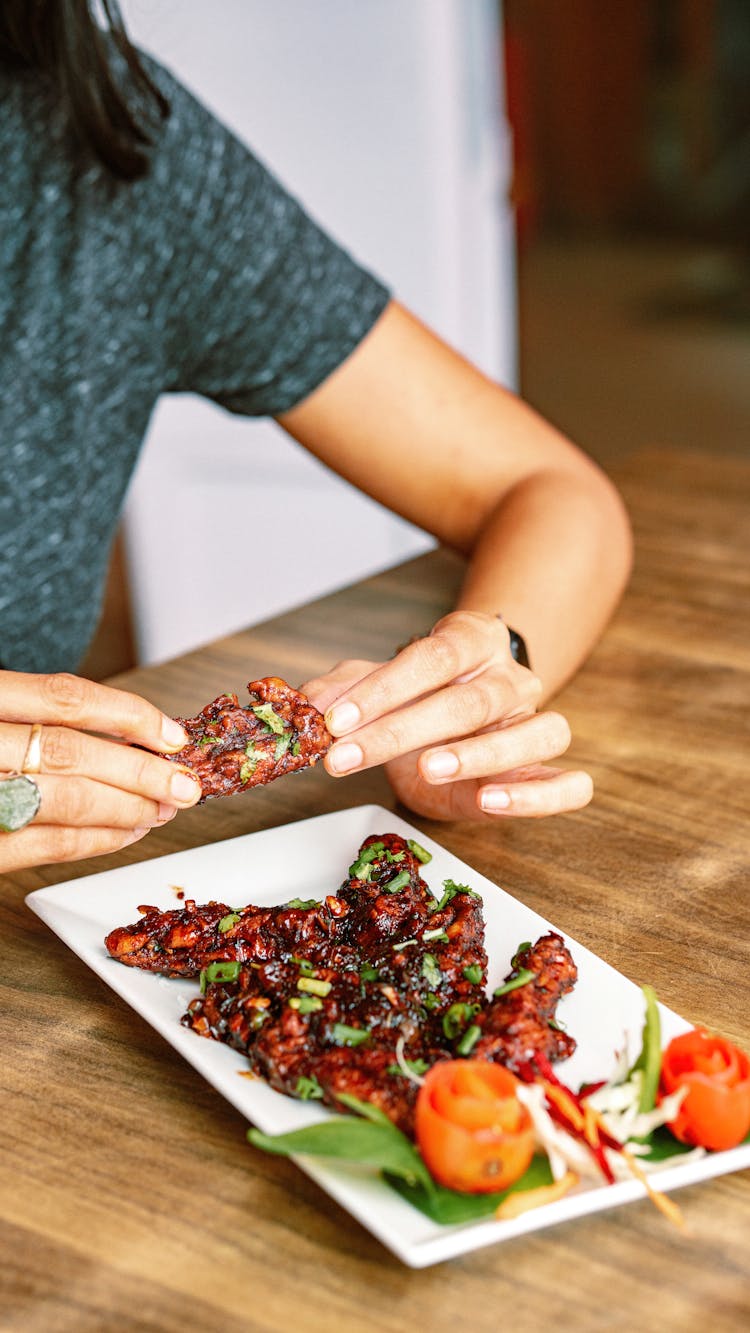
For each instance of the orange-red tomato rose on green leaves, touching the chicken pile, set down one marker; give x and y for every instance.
(472, 1131)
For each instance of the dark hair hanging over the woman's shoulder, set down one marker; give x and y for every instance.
(66, 41)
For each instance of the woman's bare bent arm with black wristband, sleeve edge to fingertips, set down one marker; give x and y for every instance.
(411, 423)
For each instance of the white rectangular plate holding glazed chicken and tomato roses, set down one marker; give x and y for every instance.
(307, 860)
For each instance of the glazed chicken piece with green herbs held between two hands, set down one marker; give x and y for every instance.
(232, 747)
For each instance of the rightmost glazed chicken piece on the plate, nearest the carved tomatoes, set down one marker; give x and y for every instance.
(520, 1024)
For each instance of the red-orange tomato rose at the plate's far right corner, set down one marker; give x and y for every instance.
(716, 1112)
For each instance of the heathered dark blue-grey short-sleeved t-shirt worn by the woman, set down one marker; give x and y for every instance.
(203, 277)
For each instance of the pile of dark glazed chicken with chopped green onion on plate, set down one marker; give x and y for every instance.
(359, 992)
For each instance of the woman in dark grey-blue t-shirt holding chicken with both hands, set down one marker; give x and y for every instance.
(143, 251)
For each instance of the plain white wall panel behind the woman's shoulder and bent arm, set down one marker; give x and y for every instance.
(384, 117)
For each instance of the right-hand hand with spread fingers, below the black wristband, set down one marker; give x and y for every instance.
(454, 719)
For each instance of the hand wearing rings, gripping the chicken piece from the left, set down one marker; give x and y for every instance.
(97, 795)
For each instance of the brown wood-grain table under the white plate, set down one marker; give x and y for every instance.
(130, 1199)
